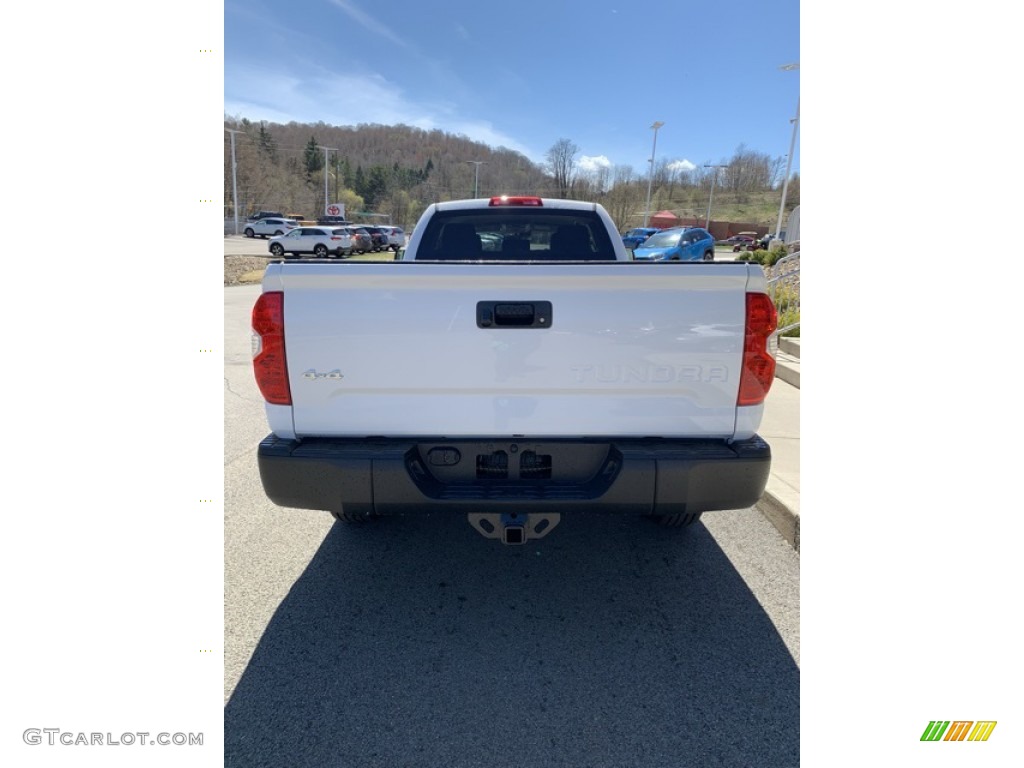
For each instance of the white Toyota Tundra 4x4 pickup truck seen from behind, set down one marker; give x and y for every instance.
(515, 365)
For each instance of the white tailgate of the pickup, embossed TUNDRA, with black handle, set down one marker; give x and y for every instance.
(416, 350)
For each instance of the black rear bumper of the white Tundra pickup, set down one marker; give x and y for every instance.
(398, 477)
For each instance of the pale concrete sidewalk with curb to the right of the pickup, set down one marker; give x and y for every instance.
(781, 429)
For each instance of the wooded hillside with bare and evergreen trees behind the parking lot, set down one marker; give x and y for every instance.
(398, 170)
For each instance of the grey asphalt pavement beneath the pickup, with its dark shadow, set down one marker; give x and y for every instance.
(417, 643)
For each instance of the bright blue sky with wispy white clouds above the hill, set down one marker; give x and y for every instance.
(525, 75)
